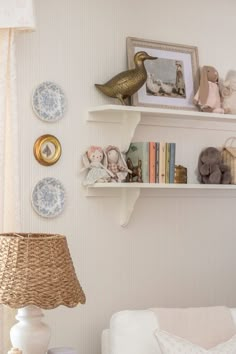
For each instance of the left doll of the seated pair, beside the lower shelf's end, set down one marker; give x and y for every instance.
(95, 162)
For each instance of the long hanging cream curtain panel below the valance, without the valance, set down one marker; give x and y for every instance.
(9, 169)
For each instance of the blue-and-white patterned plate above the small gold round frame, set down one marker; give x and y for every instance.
(49, 102)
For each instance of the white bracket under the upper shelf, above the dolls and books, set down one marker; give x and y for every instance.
(129, 123)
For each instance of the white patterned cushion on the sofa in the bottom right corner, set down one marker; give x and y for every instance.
(171, 344)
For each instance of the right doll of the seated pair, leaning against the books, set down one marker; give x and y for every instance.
(116, 163)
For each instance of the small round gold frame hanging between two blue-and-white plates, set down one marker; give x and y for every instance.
(47, 150)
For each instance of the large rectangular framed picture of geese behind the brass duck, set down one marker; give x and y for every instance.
(173, 78)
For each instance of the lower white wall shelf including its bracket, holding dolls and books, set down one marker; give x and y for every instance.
(130, 192)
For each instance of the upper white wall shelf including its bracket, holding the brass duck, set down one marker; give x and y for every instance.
(130, 116)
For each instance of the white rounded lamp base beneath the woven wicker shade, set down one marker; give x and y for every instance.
(30, 334)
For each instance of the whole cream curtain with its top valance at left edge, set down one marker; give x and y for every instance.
(14, 15)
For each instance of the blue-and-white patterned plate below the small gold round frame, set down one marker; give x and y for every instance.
(48, 197)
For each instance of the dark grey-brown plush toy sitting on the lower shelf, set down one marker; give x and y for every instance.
(211, 169)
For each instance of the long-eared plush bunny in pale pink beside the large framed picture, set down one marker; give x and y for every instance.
(208, 95)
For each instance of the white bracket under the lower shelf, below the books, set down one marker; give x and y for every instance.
(129, 198)
